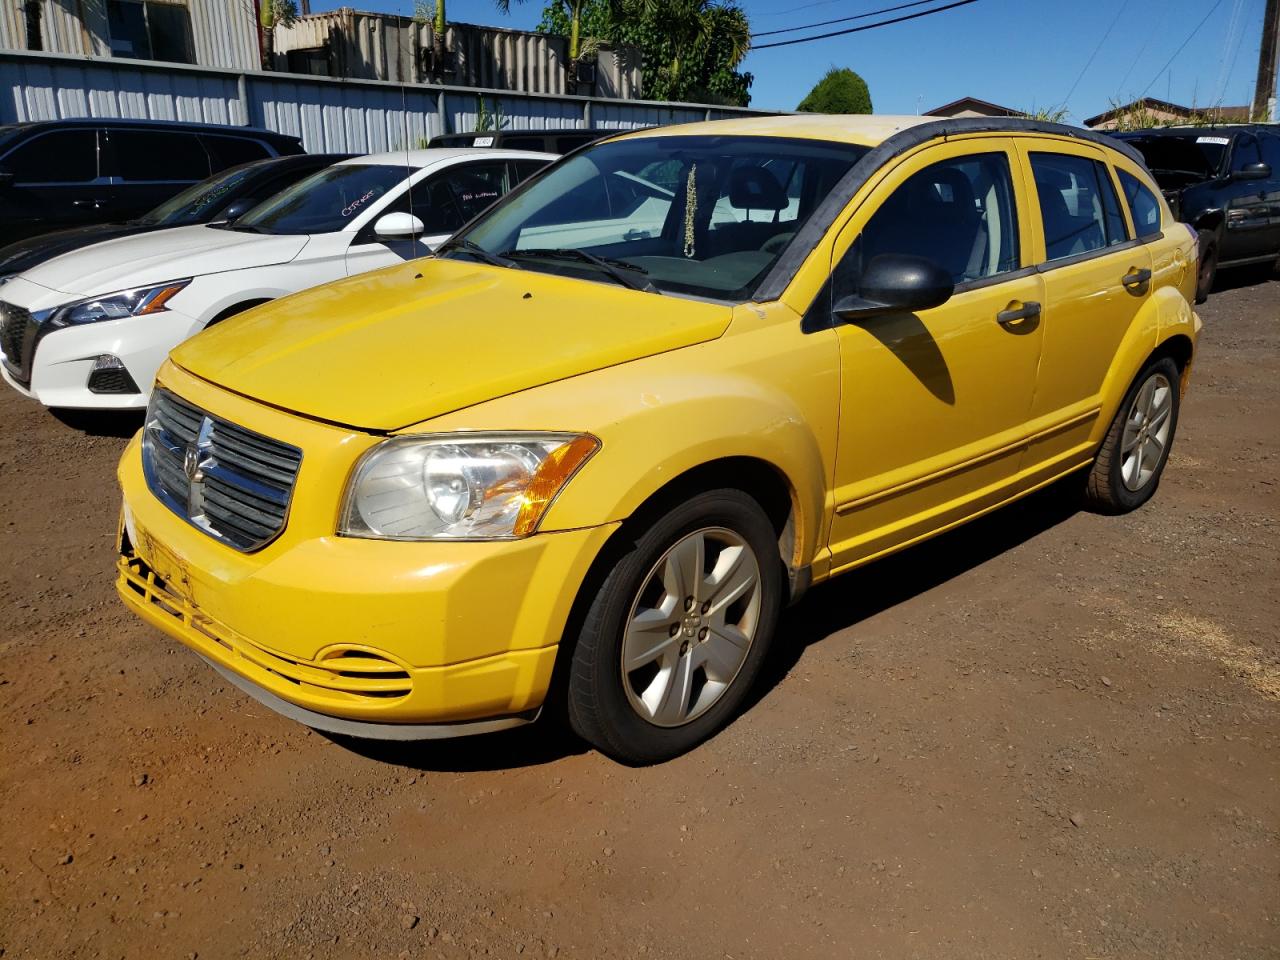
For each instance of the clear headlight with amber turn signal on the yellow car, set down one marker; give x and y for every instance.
(461, 487)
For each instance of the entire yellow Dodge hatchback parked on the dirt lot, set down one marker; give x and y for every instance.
(586, 455)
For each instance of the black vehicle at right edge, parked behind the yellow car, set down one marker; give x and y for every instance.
(1224, 182)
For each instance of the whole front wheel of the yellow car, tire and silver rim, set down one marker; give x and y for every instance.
(685, 685)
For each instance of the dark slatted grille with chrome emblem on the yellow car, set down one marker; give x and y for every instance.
(232, 483)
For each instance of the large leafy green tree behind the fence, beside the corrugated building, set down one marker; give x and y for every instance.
(689, 49)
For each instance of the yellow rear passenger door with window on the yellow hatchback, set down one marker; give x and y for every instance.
(1096, 277)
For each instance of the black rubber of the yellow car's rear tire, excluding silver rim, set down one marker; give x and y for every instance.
(1107, 490)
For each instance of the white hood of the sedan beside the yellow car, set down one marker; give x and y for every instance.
(161, 257)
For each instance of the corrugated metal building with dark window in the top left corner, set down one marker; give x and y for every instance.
(203, 33)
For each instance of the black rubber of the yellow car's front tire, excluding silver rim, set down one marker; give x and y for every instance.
(600, 705)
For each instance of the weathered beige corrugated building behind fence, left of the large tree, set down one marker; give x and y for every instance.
(354, 45)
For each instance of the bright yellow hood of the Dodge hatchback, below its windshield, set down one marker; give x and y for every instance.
(400, 346)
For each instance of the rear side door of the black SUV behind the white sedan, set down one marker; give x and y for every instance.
(149, 167)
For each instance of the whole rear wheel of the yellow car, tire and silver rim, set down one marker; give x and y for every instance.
(1133, 455)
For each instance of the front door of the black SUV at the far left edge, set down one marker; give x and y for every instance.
(56, 182)
